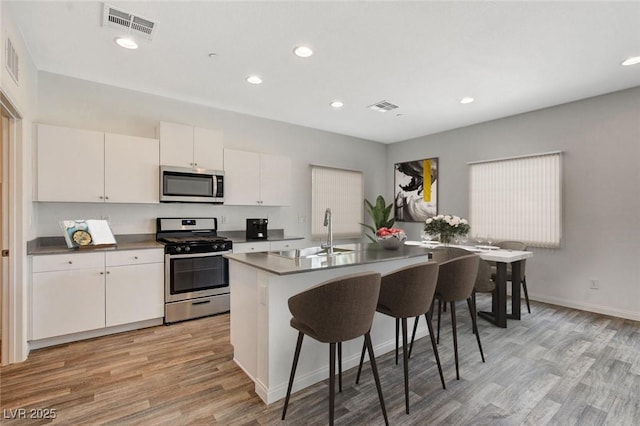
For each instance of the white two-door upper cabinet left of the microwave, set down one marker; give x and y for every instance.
(86, 166)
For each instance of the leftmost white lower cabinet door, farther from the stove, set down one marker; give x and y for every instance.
(65, 302)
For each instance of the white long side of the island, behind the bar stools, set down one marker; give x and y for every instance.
(276, 356)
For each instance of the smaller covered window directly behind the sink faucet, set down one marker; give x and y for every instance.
(341, 191)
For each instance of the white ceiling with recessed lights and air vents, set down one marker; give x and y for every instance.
(512, 57)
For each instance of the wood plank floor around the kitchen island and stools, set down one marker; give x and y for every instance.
(556, 366)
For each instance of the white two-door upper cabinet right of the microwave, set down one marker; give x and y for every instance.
(257, 179)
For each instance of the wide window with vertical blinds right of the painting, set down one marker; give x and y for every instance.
(517, 199)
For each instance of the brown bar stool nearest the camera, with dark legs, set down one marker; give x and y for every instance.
(333, 312)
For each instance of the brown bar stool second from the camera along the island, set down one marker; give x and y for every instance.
(405, 293)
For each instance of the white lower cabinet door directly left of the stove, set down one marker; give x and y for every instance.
(134, 293)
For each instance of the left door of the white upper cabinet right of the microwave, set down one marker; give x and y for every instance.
(241, 178)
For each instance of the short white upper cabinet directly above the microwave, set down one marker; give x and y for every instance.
(187, 146)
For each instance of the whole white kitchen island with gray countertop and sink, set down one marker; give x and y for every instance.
(262, 339)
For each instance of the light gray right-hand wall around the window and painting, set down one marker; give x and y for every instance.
(600, 138)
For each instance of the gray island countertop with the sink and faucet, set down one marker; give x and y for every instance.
(361, 254)
